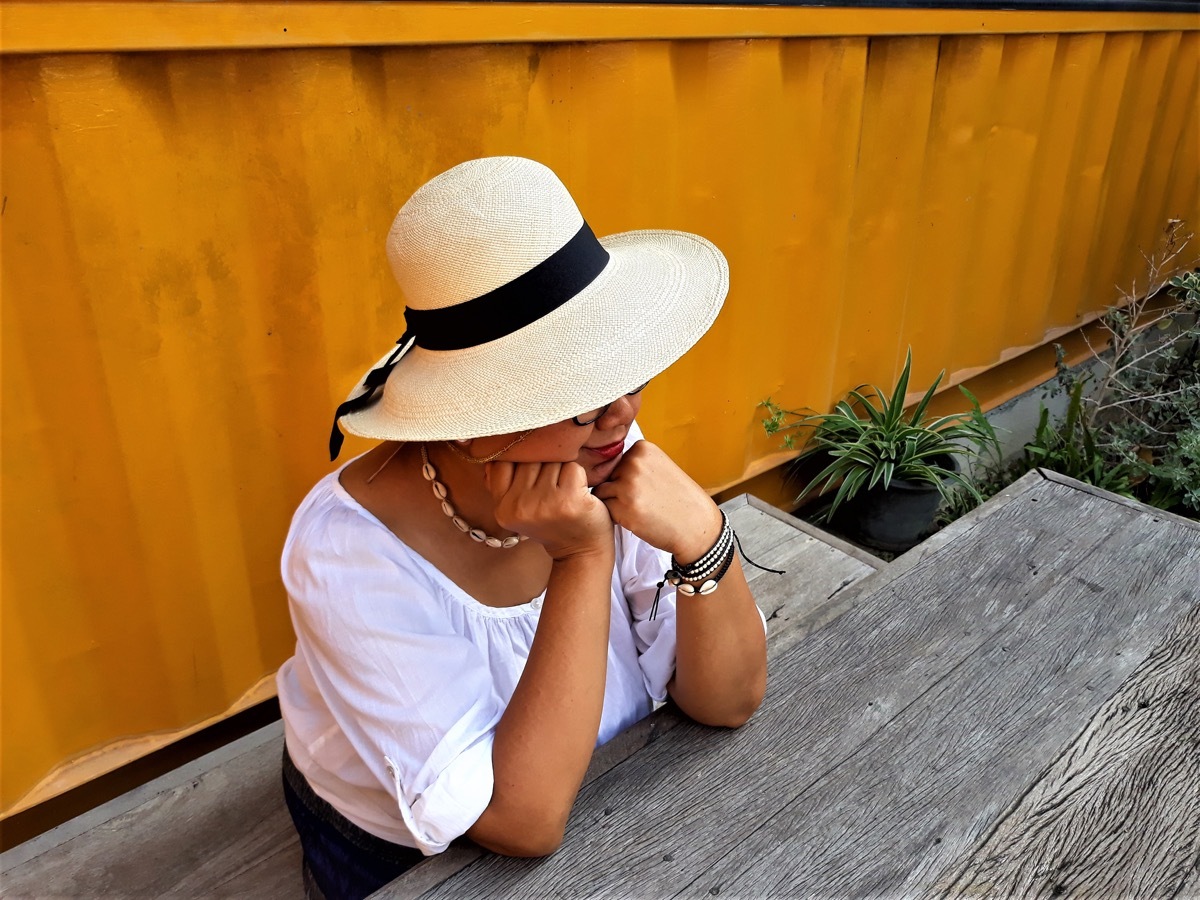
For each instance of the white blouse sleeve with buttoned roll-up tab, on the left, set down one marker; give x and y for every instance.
(413, 699)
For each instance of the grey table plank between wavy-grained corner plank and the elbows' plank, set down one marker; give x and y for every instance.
(920, 793)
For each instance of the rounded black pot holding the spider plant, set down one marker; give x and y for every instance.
(895, 520)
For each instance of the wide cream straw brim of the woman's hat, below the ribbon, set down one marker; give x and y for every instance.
(657, 297)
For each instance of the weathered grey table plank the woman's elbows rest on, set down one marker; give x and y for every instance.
(697, 795)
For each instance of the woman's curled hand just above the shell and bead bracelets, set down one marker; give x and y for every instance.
(652, 497)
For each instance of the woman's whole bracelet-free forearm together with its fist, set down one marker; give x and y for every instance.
(545, 737)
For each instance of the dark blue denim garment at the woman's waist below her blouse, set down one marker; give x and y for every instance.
(341, 862)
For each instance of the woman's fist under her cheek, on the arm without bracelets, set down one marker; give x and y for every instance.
(550, 503)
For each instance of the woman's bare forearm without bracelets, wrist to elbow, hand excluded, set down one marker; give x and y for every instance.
(545, 739)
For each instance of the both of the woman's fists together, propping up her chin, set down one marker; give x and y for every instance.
(647, 495)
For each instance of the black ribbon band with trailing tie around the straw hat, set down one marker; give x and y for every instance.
(489, 317)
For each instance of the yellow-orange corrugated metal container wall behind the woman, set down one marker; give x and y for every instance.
(194, 277)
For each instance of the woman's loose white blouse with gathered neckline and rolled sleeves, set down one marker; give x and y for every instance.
(400, 679)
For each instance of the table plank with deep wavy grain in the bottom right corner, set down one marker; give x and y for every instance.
(1133, 772)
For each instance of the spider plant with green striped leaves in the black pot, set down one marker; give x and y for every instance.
(872, 442)
